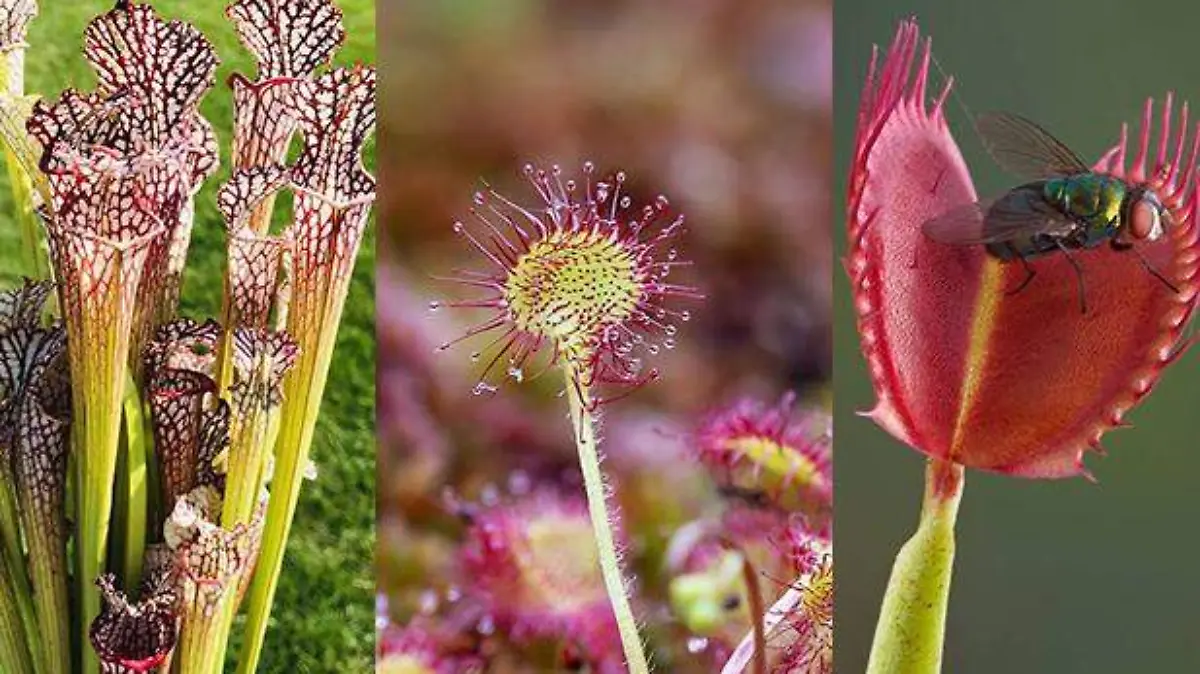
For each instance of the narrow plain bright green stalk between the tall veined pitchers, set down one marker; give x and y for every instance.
(133, 489)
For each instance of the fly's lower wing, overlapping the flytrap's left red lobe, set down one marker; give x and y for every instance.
(1019, 214)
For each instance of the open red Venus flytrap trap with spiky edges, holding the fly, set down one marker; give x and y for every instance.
(949, 346)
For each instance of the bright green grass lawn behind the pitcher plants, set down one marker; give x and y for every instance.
(325, 611)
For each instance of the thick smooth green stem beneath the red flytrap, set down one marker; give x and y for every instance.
(913, 623)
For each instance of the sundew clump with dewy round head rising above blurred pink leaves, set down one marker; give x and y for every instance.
(587, 285)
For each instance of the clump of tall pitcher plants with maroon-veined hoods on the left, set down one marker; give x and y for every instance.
(151, 464)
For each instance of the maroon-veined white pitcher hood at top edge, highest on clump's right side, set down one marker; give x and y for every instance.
(289, 38)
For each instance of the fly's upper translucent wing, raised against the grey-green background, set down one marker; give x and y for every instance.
(1025, 149)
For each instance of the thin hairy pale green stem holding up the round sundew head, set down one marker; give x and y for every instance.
(602, 525)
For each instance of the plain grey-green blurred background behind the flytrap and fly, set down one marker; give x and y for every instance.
(1052, 577)
